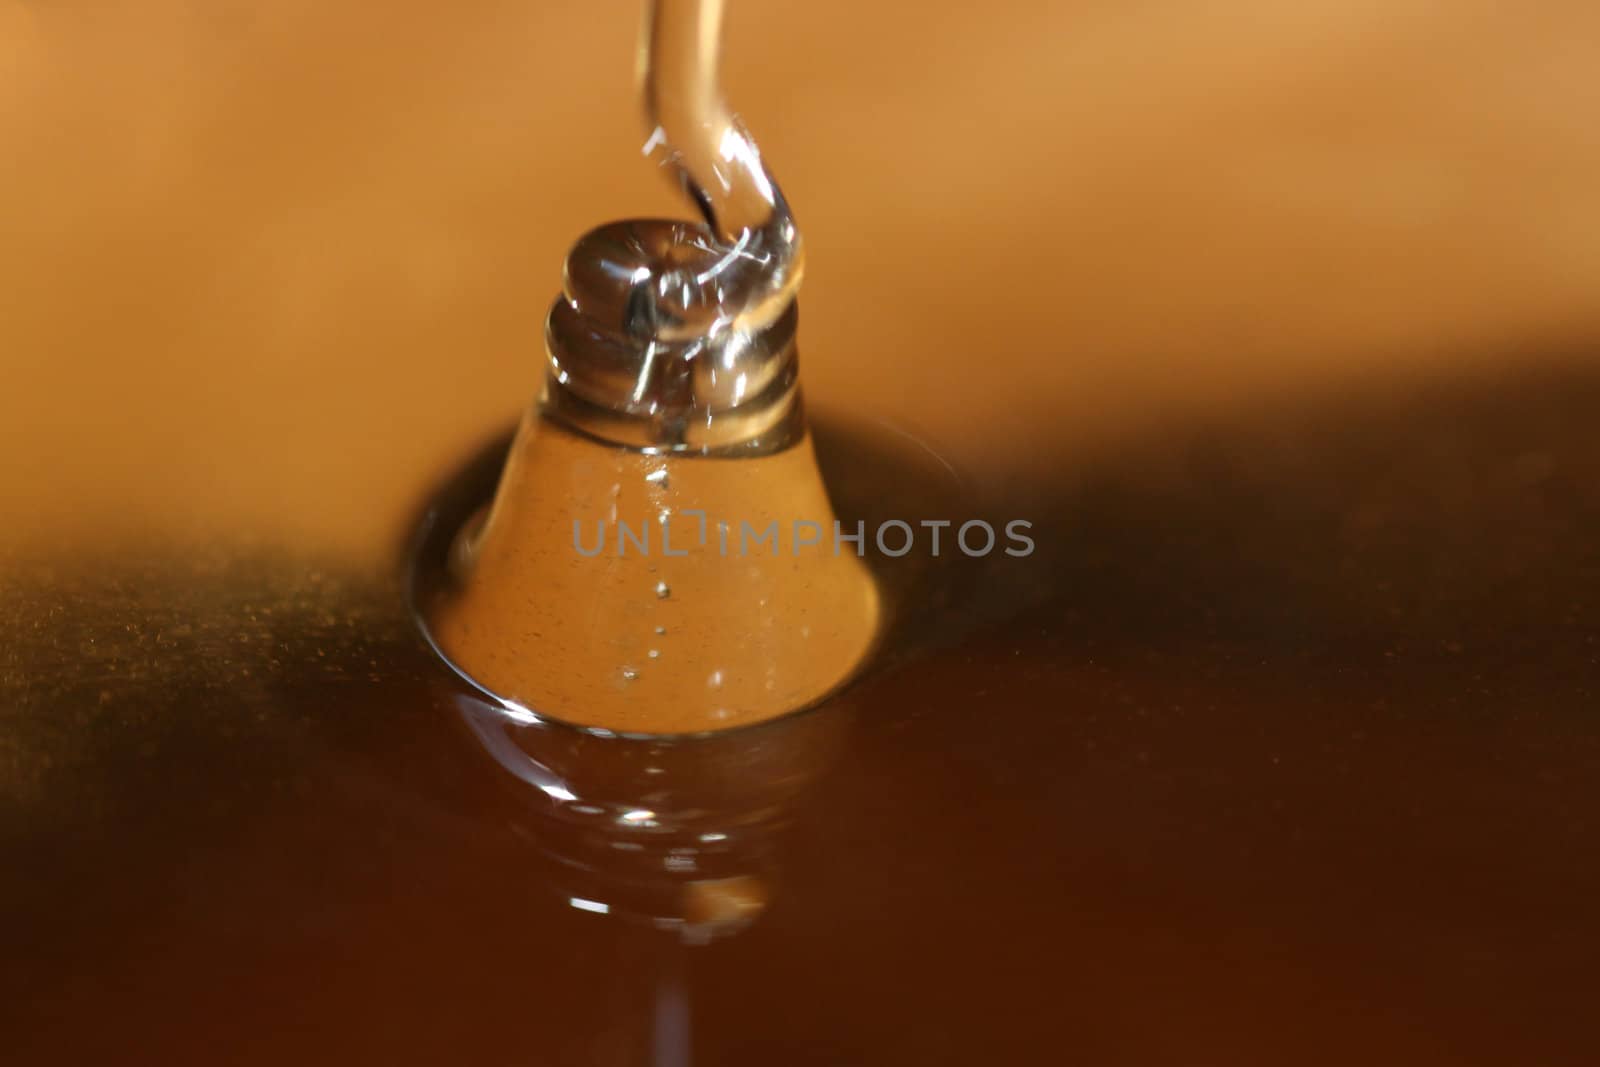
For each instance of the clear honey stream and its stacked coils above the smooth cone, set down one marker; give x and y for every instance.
(673, 335)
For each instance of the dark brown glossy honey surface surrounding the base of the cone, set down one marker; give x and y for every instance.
(1300, 745)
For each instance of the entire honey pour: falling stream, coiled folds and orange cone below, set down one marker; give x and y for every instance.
(662, 556)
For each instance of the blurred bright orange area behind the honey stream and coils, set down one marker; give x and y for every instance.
(273, 266)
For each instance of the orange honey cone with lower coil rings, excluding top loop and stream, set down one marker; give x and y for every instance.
(662, 556)
